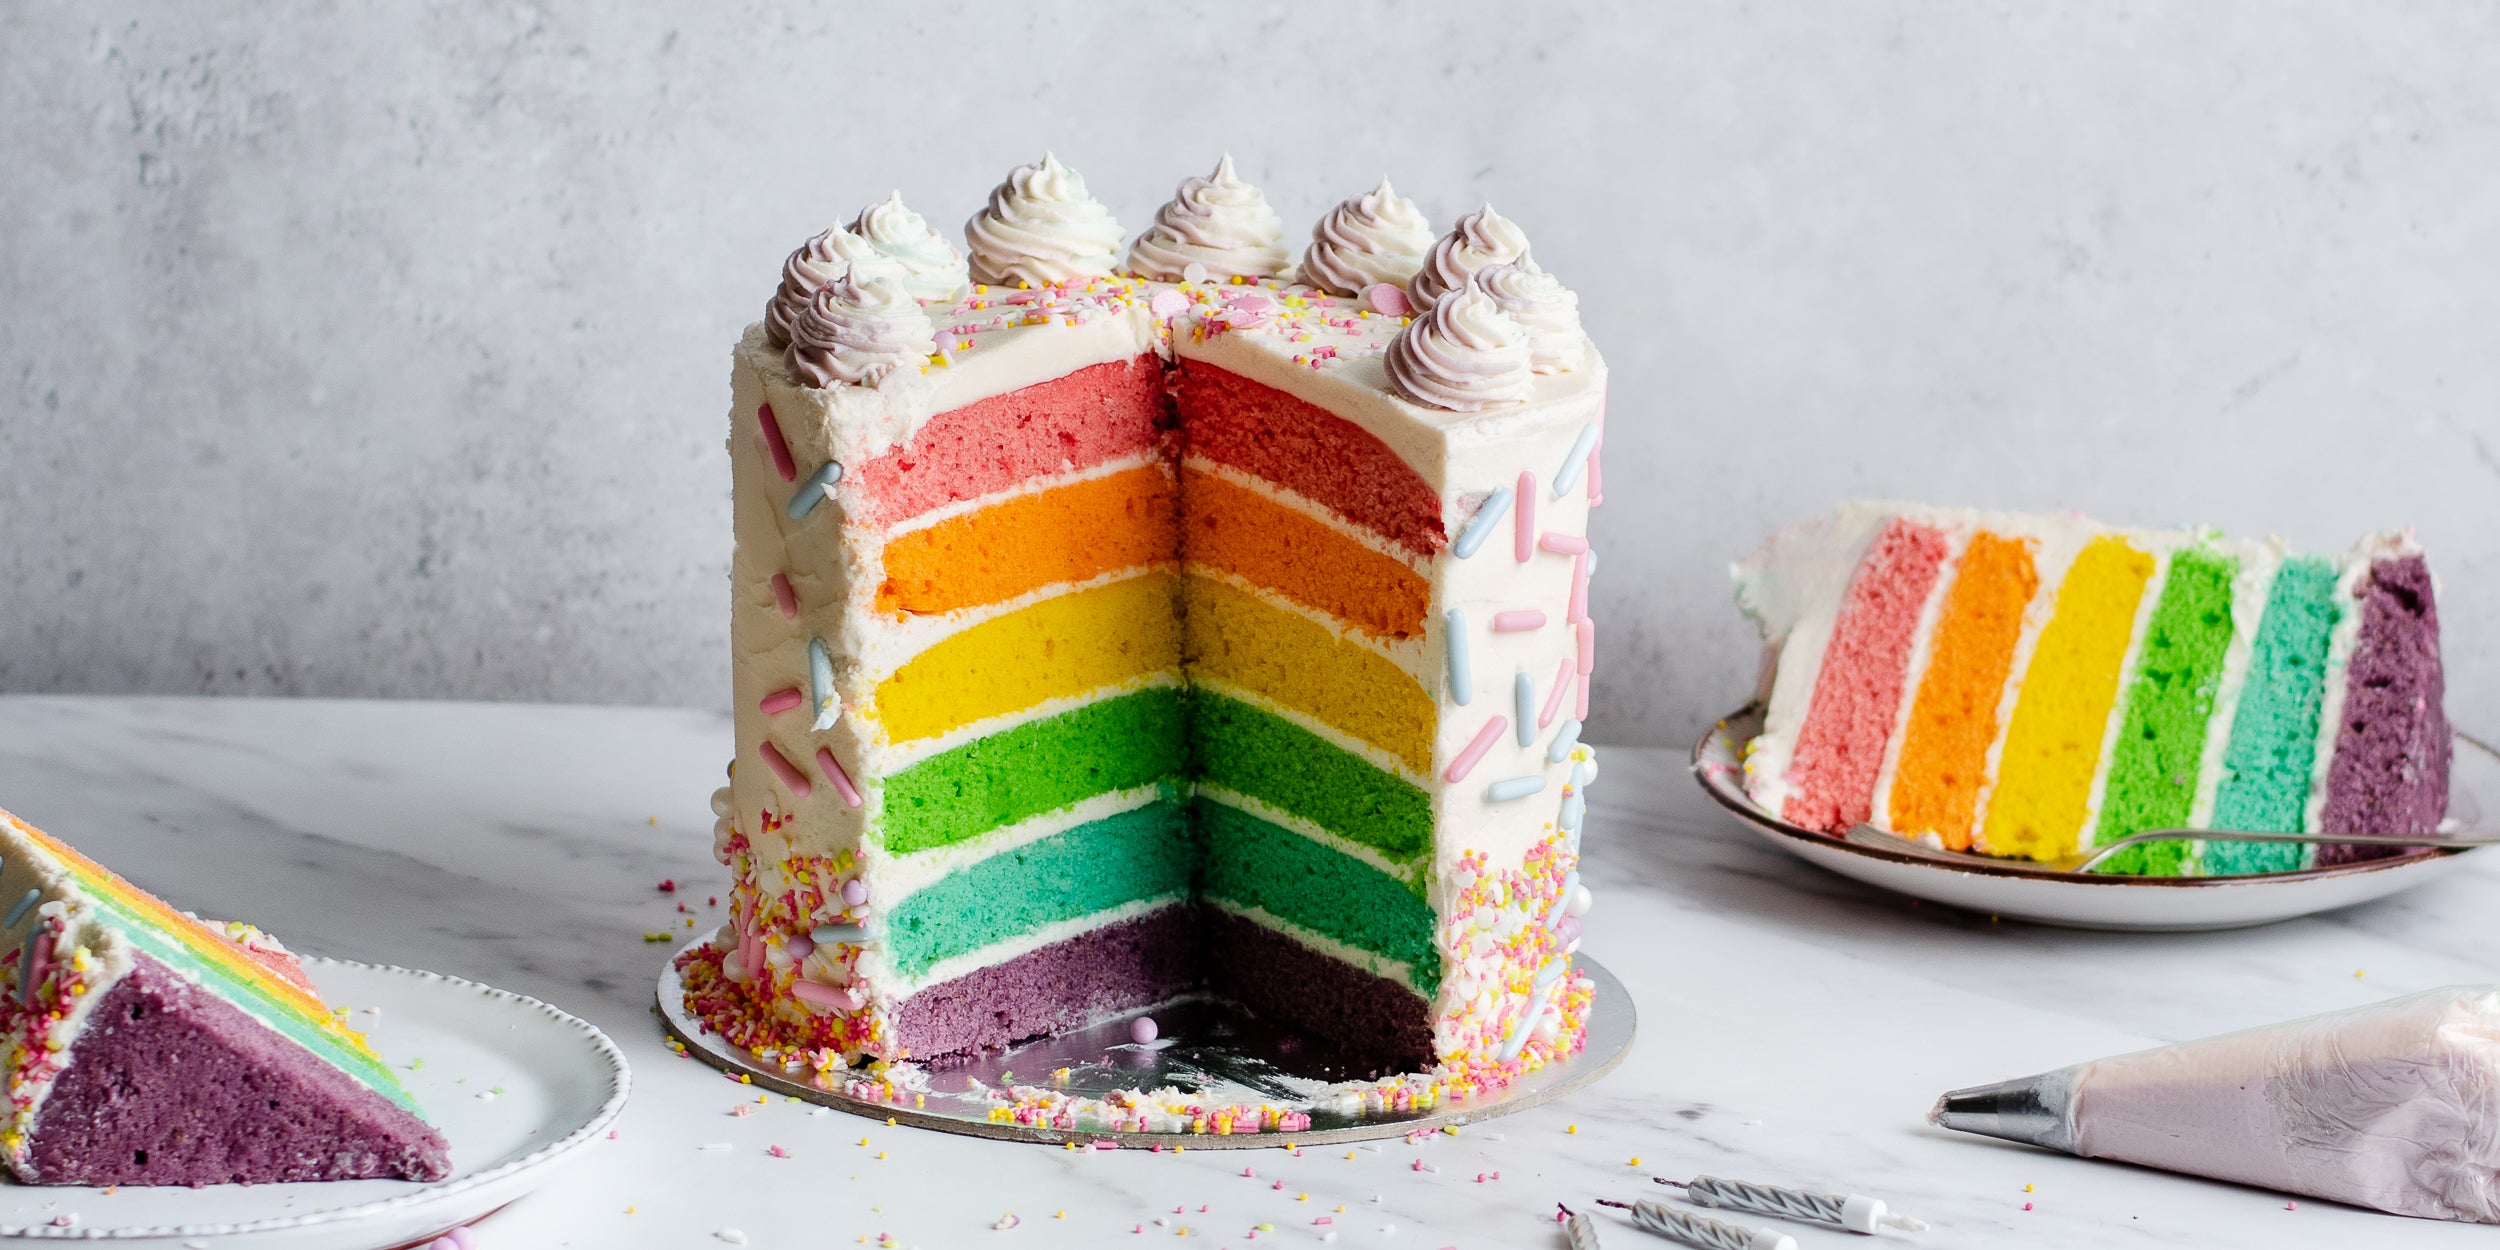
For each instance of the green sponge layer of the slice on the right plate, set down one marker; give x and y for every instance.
(2161, 739)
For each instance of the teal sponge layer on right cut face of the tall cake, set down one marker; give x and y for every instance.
(1324, 891)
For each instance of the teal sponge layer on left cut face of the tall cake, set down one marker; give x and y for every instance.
(1074, 874)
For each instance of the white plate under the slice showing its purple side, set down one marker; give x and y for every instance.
(514, 1084)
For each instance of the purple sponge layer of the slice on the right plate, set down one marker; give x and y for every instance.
(2391, 751)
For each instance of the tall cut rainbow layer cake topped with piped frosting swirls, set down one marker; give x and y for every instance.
(1181, 621)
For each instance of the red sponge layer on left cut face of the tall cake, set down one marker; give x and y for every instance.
(1086, 419)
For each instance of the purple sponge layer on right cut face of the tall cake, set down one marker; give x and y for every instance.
(1374, 1021)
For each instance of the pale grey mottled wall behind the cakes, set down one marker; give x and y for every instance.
(384, 354)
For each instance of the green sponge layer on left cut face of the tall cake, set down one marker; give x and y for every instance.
(1034, 769)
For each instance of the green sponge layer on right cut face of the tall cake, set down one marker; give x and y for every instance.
(1296, 771)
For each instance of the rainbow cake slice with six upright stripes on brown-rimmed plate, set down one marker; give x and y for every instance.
(2036, 686)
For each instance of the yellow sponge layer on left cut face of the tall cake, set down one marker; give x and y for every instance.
(1054, 649)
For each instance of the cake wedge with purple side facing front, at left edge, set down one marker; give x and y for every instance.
(151, 1049)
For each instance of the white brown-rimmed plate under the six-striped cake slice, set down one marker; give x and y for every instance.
(2094, 899)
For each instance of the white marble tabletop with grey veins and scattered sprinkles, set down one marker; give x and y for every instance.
(1794, 1026)
